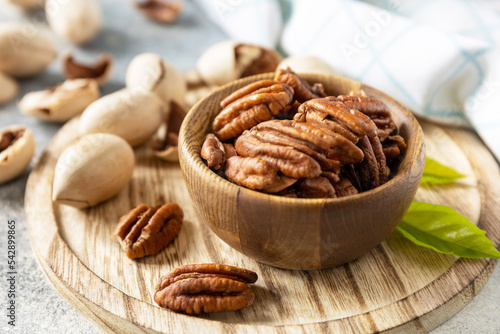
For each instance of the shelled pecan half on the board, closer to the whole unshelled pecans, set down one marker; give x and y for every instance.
(146, 231)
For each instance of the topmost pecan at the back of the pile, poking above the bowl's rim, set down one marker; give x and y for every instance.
(302, 90)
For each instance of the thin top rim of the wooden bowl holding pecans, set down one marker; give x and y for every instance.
(197, 164)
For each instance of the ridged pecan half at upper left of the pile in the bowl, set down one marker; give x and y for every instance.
(250, 106)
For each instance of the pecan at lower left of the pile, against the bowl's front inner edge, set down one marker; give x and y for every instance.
(256, 173)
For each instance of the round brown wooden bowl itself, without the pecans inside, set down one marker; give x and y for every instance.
(299, 233)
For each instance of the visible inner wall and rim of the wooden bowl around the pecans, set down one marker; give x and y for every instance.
(197, 125)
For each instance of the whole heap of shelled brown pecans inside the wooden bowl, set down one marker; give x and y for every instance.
(286, 137)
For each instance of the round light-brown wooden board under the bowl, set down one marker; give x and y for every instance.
(397, 287)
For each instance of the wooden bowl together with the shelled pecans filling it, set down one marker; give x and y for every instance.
(304, 171)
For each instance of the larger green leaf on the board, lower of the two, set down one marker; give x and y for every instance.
(446, 231)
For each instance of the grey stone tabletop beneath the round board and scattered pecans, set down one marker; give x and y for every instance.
(125, 33)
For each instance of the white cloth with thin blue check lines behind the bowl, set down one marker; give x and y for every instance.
(440, 58)
